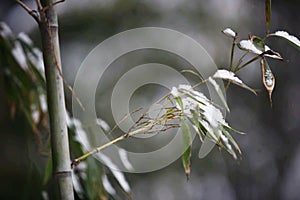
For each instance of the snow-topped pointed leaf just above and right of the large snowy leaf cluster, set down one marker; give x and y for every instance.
(230, 76)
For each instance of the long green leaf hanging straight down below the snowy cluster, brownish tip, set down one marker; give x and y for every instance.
(187, 147)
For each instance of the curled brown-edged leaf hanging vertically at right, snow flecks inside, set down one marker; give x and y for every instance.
(267, 78)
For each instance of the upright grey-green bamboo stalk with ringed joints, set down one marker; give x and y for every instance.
(56, 101)
